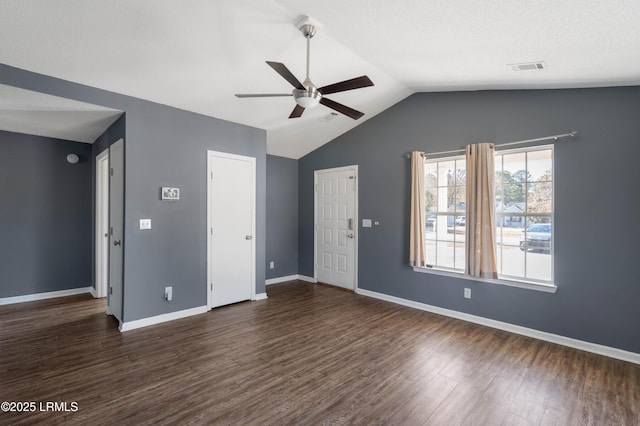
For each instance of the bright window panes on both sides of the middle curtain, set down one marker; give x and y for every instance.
(524, 213)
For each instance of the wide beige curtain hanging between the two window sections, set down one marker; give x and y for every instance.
(481, 212)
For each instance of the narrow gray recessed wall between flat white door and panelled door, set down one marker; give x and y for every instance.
(282, 216)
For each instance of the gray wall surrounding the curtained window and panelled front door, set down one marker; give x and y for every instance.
(597, 200)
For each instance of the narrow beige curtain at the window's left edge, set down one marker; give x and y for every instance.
(416, 239)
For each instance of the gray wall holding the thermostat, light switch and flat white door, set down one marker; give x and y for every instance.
(165, 146)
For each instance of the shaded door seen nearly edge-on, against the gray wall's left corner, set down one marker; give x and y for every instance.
(116, 219)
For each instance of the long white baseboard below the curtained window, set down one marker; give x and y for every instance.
(529, 332)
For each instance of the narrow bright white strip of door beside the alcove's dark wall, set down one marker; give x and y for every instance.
(102, 223)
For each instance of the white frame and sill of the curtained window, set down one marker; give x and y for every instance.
(513, 281)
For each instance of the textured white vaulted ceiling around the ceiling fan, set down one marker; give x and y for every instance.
(196, 54)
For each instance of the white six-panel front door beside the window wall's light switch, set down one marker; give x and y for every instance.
(336, 226)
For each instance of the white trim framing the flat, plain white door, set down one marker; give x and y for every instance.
(252, 160)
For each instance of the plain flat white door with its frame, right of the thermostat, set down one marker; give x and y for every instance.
(231, 222)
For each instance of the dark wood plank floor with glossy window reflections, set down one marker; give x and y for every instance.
(308, 355)
